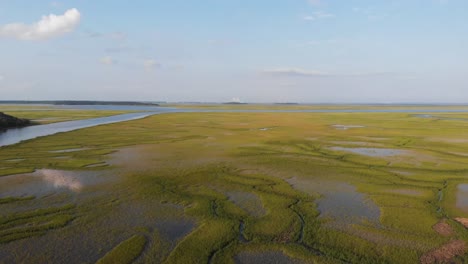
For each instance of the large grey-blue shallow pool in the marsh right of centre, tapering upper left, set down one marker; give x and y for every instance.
(340, 201)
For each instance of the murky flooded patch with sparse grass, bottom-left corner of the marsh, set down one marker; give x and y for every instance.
(87, 241)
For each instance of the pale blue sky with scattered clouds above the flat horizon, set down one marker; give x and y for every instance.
(306, 51)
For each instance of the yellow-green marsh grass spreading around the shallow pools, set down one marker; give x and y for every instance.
(193, 159)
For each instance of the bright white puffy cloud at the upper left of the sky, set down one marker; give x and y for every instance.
(48, 27)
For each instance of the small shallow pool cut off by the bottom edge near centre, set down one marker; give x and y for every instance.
(265, 257)
